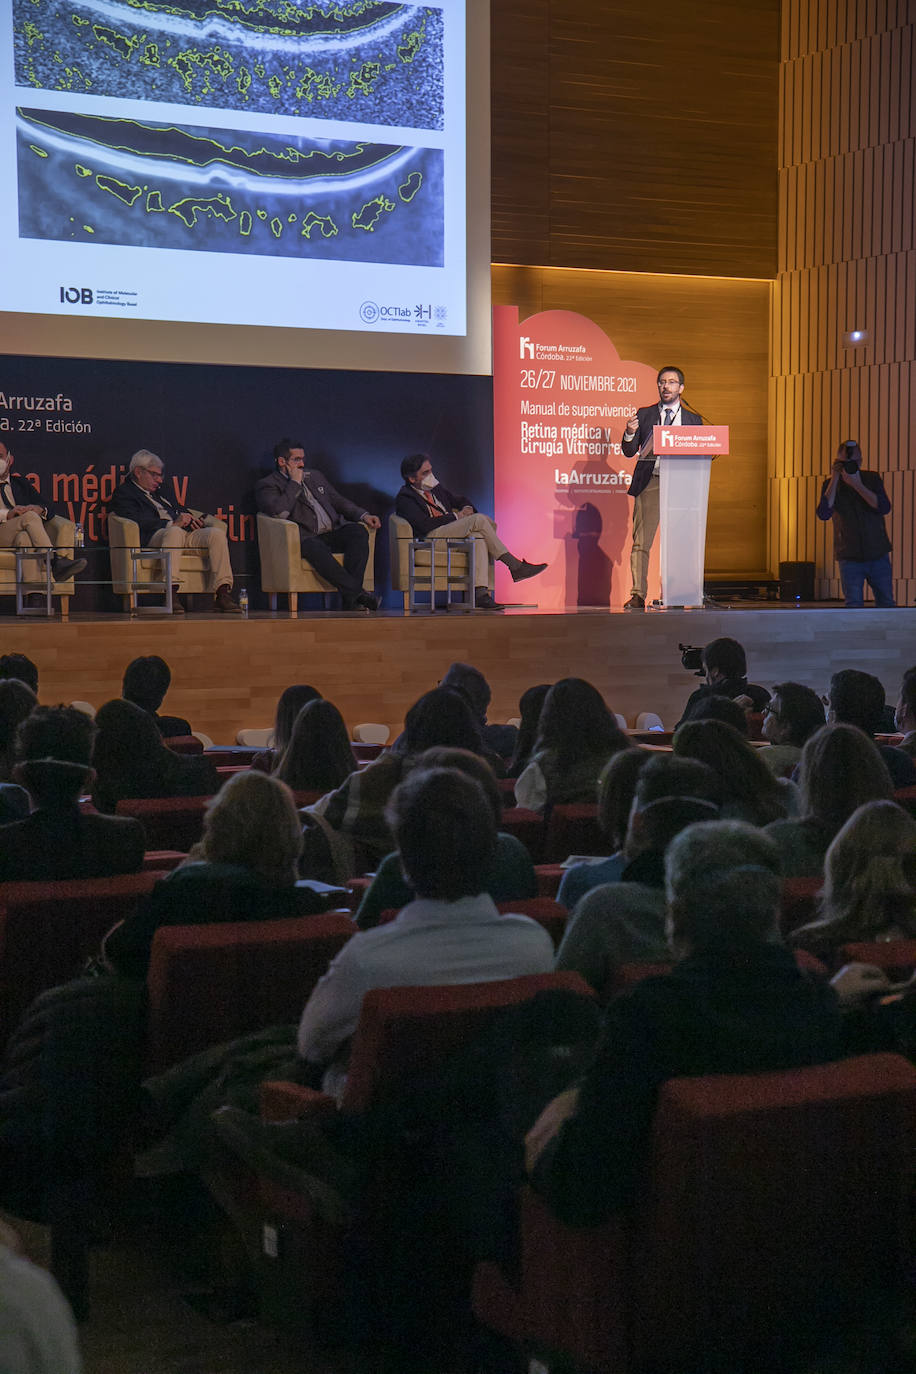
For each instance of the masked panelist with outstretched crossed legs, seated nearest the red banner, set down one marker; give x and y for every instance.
(435, 513)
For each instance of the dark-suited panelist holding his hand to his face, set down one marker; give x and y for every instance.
(329, 523)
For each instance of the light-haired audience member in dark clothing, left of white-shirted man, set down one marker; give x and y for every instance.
(245, 868)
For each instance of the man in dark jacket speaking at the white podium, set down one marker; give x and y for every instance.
(645, 488)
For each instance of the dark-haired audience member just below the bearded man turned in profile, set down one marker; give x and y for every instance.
(749, 789)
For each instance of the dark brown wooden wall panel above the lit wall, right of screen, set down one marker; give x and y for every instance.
(626, 138)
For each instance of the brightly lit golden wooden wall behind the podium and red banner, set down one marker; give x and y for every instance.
(715, 329)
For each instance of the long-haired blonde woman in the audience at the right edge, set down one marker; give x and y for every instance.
(870, 883)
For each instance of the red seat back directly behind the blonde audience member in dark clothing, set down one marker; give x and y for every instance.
(208, 984)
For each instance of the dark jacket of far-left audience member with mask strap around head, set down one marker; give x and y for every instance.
(51, 846)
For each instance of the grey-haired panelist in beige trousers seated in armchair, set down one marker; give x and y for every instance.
(167, 526)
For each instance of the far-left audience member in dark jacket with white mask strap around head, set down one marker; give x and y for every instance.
(54, 751)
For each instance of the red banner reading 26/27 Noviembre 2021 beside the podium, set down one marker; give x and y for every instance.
(561, 401)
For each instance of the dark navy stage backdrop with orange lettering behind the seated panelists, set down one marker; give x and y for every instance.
(73, 424)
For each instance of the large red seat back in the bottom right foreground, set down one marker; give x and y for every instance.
(768, 1191)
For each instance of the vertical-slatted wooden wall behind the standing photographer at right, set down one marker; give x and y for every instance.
(847, 260)
